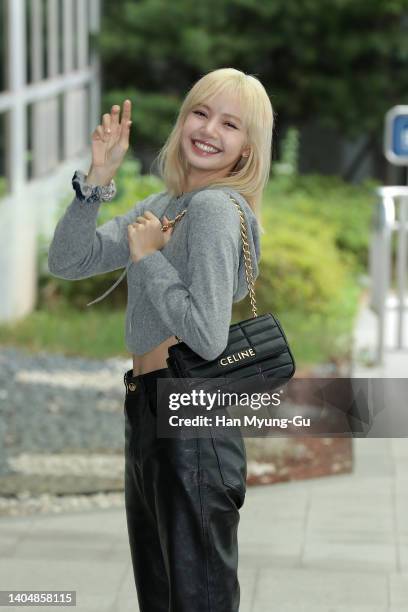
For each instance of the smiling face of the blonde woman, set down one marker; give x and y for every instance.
(216, 123)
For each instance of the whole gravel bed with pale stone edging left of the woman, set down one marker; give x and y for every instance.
(61, 431)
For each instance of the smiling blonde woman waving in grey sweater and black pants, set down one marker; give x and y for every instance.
(182, 496)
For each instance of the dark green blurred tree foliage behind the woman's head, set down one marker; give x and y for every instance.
(330, 59)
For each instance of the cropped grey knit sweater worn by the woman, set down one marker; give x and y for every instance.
(188, 287)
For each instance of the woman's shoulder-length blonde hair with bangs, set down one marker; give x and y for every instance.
(250, 174)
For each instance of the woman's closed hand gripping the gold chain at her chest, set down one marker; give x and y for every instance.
(145, 235)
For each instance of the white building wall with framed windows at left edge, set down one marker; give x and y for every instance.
(64, 108)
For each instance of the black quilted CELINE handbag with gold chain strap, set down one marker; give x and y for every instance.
(257, 354)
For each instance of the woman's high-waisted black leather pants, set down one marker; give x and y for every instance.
(182, 498)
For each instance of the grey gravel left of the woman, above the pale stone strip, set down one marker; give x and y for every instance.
(60, 404)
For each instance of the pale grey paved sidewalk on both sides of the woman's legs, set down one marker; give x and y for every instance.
(330, 544)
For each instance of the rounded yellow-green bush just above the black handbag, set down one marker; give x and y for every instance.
(301, 268)
